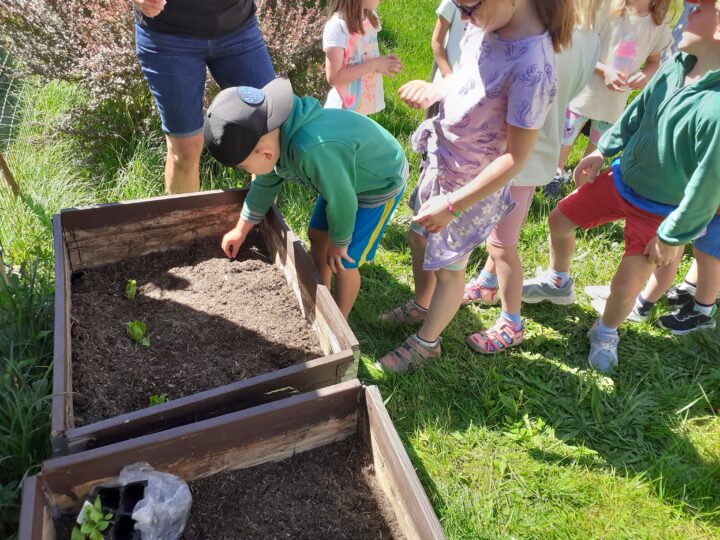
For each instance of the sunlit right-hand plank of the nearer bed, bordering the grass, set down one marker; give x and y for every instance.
(397, 475)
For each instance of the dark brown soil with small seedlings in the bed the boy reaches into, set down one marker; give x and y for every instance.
(210, 321)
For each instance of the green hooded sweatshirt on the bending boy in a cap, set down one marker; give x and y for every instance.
(347, 158)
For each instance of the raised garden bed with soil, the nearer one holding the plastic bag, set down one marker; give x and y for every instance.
(343, 447)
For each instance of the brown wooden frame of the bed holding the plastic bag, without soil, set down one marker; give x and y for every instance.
(269, 432)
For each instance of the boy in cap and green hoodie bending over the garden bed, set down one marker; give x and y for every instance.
(354, 165)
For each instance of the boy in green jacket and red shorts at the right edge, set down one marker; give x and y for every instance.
(666, 183)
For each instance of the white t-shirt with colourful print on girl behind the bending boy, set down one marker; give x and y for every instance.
(364, 95)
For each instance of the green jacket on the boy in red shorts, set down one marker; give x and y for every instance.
(670, 135)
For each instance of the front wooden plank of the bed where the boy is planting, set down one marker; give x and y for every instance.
(299, 378)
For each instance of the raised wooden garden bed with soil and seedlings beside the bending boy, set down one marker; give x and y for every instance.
(224, 335)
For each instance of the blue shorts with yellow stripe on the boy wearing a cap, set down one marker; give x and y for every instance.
(370, 225)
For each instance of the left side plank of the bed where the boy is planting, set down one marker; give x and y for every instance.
(62, 394)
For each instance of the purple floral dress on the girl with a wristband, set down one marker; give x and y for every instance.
(497, 82)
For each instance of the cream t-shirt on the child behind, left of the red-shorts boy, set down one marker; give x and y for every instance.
(625, 43)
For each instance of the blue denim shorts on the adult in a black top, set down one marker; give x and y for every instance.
(175, 67)
